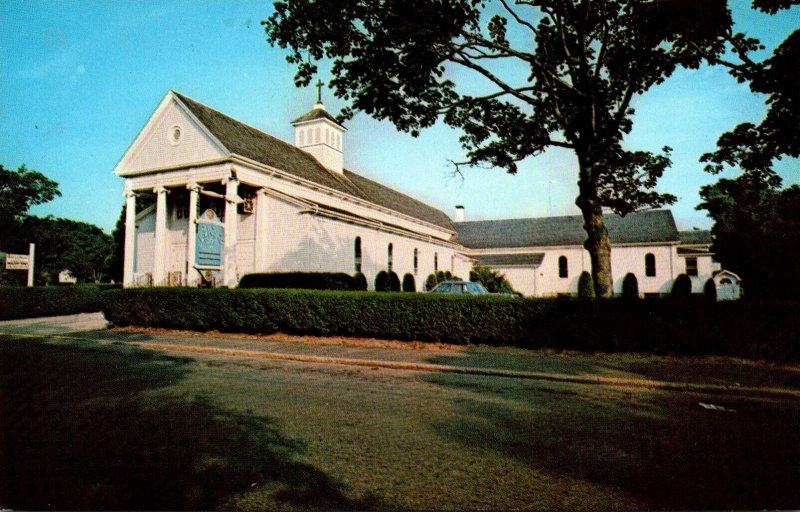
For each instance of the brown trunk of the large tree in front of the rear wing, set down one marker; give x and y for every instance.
(597, 235)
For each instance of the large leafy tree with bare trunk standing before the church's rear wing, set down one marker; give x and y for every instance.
(547, 73)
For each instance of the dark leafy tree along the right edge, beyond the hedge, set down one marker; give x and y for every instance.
(756, 223)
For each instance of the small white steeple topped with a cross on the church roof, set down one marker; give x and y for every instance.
(320, 134)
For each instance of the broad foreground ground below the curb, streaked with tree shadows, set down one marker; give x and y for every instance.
(85, 426)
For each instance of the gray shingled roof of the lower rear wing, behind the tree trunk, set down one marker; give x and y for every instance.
(640, 227)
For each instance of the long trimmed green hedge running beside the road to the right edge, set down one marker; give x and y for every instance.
(733, 328)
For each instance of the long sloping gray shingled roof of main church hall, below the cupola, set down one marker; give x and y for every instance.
(254, 144)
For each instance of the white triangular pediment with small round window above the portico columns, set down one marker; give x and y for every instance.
(173, 137)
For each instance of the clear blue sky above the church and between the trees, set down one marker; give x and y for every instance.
(80, 79)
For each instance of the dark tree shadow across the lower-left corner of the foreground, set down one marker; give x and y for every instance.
(78, 431)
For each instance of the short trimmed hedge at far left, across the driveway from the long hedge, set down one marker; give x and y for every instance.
(19, 302)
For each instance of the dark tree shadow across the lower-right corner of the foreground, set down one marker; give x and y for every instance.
(662, 448)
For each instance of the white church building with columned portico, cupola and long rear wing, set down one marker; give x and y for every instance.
(232, 200)
